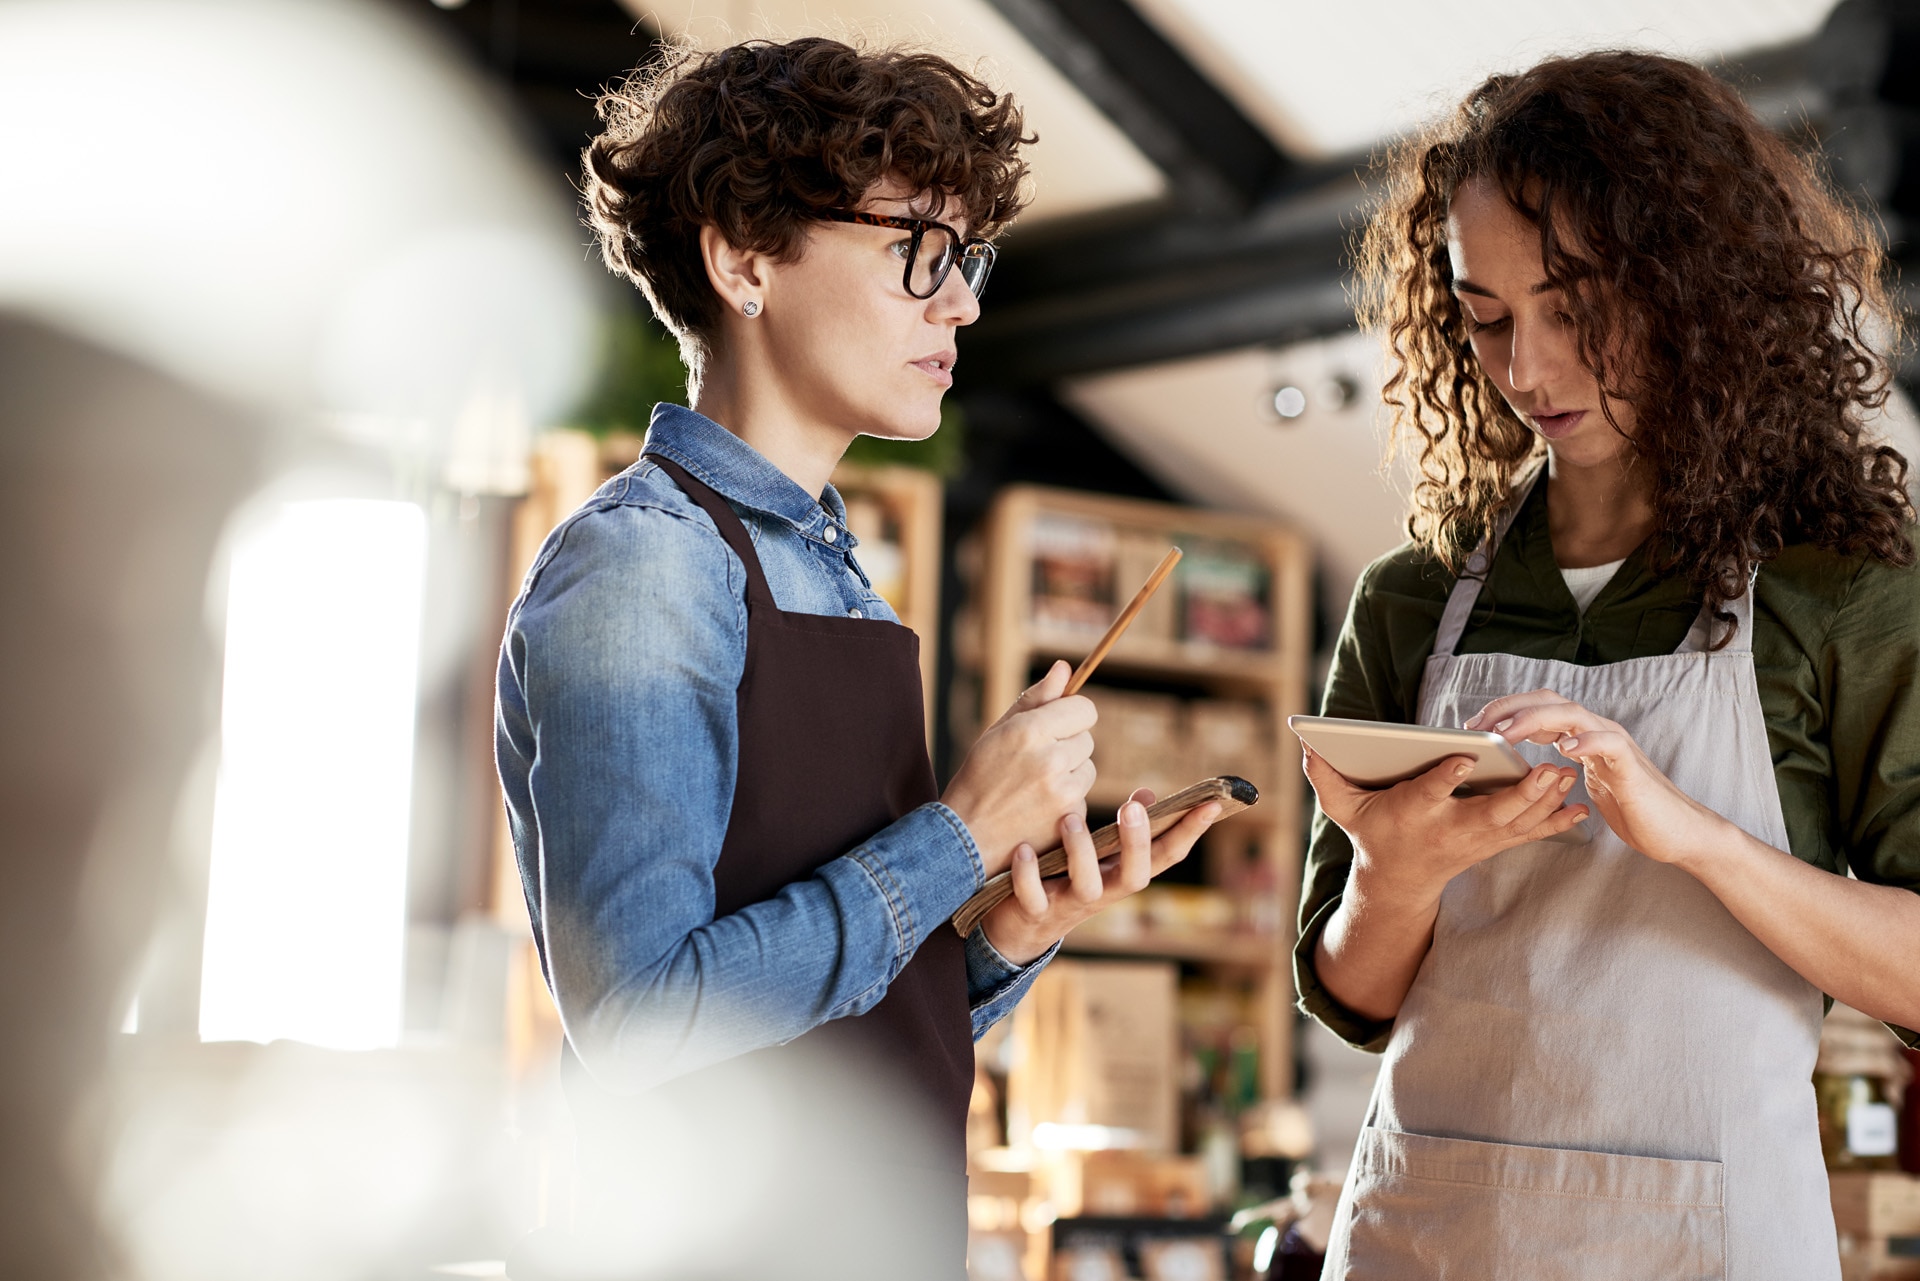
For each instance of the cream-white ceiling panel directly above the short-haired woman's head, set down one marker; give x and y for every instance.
(1082, 162)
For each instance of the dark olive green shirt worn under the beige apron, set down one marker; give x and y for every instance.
(1836, 648)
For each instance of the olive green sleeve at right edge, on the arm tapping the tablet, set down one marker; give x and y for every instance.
(1873, 675)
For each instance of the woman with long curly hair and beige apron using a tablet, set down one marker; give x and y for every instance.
(1654, 543)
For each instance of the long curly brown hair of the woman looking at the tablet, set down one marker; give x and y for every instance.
(1716, 285)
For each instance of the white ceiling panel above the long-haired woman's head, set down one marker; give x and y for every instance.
(1326, 80)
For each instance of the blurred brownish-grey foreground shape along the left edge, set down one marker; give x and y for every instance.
(114, 489)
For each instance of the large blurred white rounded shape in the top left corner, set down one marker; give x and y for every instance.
(333, 216)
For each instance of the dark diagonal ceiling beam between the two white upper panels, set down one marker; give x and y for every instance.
(1216, 160)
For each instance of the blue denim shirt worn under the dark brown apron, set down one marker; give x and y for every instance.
(617, 748)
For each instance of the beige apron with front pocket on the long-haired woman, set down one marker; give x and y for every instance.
(1598, 1073)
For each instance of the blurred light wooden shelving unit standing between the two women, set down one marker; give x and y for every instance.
(1174, 710)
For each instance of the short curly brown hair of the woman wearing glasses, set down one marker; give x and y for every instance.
(759, 139)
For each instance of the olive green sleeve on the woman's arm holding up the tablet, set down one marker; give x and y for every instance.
(1355, 689)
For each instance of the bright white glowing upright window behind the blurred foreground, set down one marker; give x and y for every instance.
(308, 892)
